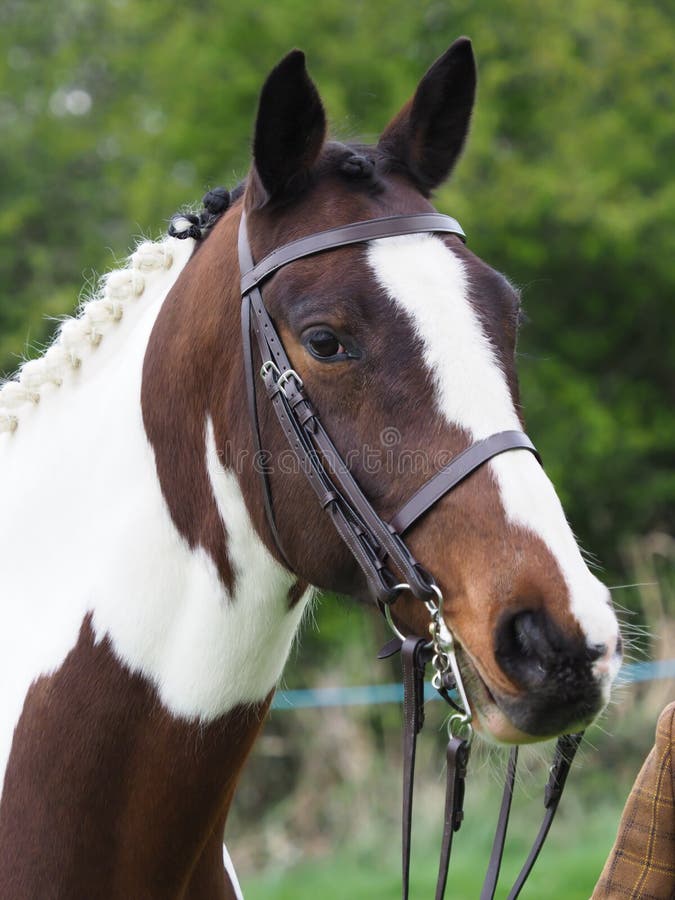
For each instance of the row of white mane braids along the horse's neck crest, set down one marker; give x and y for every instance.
(78, 336)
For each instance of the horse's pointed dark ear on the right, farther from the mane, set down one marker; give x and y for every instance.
(427, 136)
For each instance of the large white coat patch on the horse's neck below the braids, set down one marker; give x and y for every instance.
(85, 529)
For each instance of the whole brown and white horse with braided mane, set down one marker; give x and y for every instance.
(149, 601)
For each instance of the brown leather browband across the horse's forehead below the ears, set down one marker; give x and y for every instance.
(356, 233)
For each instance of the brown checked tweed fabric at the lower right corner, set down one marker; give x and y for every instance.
(641, 865)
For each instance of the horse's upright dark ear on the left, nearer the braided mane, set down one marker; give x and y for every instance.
(289, 131)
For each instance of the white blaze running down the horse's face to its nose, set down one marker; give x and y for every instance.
(427, 281)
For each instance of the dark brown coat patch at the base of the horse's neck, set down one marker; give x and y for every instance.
(116, 799)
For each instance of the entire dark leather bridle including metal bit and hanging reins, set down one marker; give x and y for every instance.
(378, 546)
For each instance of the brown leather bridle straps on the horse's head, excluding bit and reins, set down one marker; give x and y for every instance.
(376, 545)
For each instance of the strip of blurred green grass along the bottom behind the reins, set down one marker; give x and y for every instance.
(568, 867)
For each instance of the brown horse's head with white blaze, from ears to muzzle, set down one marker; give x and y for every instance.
(406, 347)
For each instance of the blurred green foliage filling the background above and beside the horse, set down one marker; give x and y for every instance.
(114, 113)
